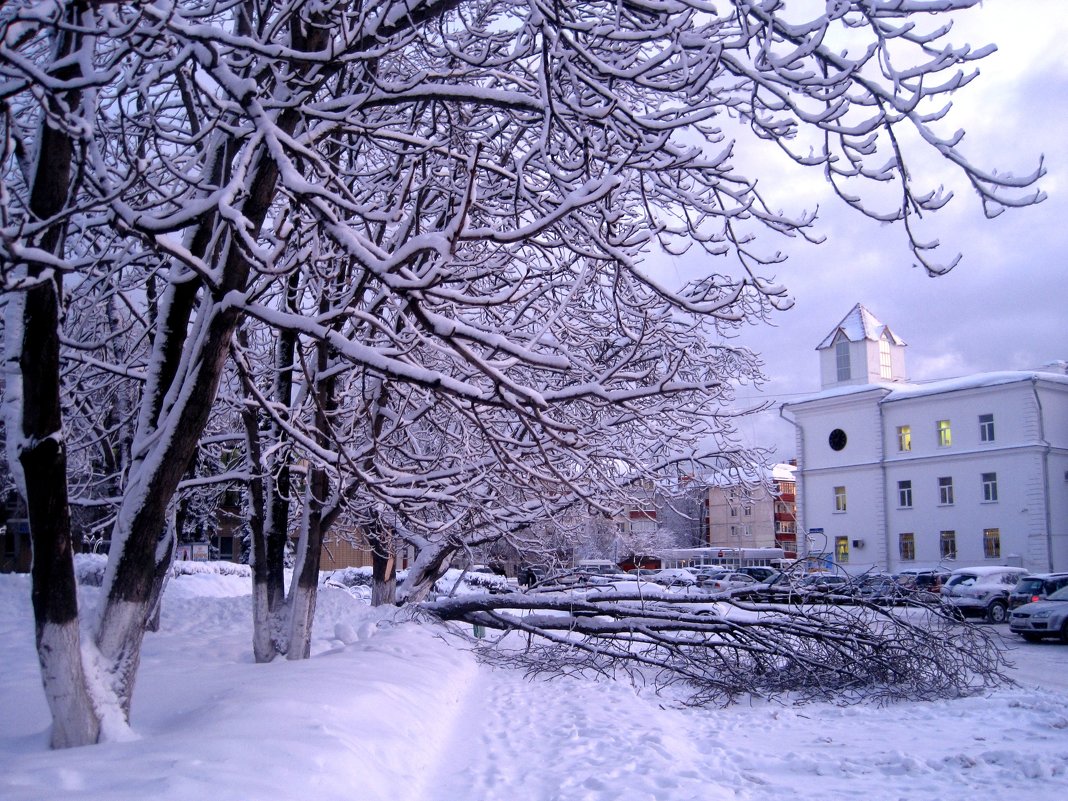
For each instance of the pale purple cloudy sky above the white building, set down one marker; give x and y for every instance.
(1004, 306)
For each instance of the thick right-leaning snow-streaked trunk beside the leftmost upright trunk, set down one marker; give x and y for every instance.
(165, 445)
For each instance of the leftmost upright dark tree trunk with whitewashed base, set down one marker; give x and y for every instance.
(36, 428)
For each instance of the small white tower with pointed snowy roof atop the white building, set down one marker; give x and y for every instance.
(860, 351)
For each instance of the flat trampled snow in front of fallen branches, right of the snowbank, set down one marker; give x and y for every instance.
(571, 741)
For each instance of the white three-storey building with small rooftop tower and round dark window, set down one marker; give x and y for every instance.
(964, 472)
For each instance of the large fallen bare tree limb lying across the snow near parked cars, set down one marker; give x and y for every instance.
(716, 652)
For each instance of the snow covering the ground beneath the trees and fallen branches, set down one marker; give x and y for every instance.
(389, 710)
